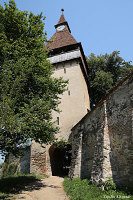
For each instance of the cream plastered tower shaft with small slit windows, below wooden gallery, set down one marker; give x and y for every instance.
(75, 101)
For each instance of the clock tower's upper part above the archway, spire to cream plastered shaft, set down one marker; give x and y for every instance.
(68, 57)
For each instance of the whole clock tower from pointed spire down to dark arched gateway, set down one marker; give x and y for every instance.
(67, 55)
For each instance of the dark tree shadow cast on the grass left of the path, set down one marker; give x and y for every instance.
(13, 185)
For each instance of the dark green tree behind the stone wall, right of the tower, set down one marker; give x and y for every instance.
(104, 73)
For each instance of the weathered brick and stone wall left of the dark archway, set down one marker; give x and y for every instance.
(33, 159)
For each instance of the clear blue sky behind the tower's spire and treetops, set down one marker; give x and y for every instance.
(102, 26)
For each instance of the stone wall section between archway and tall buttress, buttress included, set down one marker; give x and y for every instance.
(91, 147)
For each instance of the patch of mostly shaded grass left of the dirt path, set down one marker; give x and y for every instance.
(14, 184)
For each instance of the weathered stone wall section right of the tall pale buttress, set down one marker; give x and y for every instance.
(120, 113)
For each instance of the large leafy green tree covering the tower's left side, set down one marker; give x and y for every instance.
(28, 91)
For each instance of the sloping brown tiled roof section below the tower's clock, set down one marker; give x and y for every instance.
(61, 39)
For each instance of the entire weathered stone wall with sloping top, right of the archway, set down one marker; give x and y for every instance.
(102, 140)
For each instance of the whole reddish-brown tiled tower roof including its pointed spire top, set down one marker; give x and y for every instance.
(61, 38)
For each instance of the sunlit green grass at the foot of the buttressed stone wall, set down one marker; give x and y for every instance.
(78, 189)
